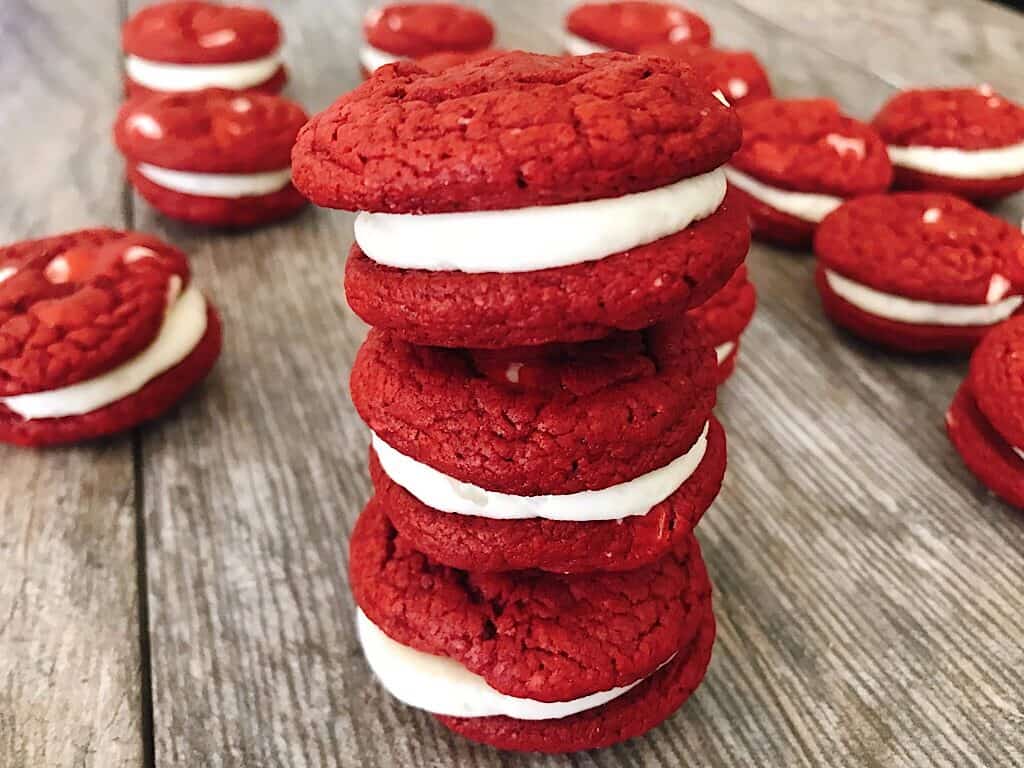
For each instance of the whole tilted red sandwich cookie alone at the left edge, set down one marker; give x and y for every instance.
(100, 331)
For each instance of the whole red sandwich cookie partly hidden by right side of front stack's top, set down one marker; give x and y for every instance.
(800, 160)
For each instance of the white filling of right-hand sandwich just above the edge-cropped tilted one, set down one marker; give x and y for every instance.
(902, 310)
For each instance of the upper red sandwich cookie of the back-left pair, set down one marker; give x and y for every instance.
(187, 47)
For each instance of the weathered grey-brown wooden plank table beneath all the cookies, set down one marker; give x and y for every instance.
(179, 596)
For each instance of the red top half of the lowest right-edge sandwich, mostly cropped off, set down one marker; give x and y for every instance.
(997, 379)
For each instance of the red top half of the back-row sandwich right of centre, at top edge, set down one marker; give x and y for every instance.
(630, 26)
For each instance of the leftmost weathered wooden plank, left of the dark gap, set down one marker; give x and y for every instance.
(69, 626)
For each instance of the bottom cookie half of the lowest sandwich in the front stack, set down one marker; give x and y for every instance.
(631, 715)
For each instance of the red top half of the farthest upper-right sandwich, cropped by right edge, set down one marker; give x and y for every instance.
(964, 118)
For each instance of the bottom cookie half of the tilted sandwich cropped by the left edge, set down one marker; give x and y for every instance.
(148, 404)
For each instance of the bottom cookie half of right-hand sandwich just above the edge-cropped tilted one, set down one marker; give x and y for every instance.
(905, 337)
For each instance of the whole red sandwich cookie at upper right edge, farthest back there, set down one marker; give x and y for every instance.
(968, 142)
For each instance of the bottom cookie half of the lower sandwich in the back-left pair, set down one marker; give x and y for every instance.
(224, 212)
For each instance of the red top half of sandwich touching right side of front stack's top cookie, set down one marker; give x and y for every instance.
(809, 146)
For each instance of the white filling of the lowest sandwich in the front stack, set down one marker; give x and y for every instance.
(444, 687)
